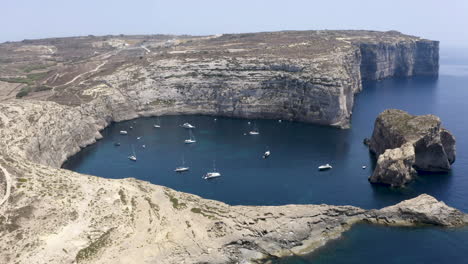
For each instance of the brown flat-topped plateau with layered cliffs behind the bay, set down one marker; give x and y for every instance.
(309, 76)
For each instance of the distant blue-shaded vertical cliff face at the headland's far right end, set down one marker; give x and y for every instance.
(403, 59)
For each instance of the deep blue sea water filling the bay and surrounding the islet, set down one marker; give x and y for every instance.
(290, 175)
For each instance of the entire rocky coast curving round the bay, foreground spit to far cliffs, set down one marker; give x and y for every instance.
(51, 215)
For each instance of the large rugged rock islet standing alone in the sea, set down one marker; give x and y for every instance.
(403, 142)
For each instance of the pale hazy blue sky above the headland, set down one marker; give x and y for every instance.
(444, 20)
